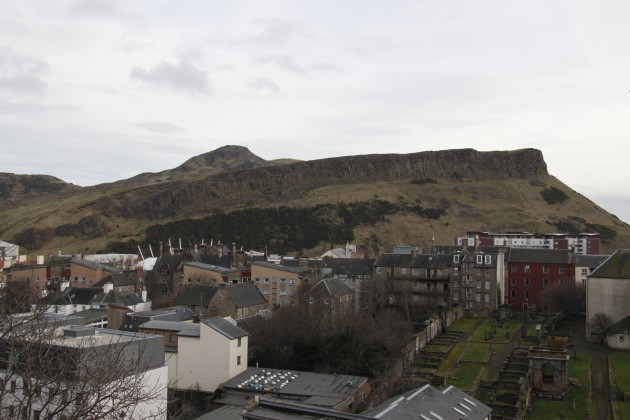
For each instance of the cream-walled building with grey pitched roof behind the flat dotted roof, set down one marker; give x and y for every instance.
(202, 356)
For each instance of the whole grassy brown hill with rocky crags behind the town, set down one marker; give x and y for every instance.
(306, 207)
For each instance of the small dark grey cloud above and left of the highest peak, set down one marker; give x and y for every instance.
(181, 76)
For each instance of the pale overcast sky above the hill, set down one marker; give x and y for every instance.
(95, 91)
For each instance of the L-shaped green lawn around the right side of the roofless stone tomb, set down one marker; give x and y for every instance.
(576, 405)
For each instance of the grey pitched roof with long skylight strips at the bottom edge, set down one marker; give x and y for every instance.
(450, 403)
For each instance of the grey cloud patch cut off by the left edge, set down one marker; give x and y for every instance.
(21, 74)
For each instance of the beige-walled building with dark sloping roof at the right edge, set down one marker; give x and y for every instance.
(608, 291)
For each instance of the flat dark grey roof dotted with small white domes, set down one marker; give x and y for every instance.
(329, 390)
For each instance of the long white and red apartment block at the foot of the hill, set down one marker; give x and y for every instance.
(580, 243)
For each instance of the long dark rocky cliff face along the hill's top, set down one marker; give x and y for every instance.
(273, 183)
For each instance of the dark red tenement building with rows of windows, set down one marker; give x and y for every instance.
(532, 272)
